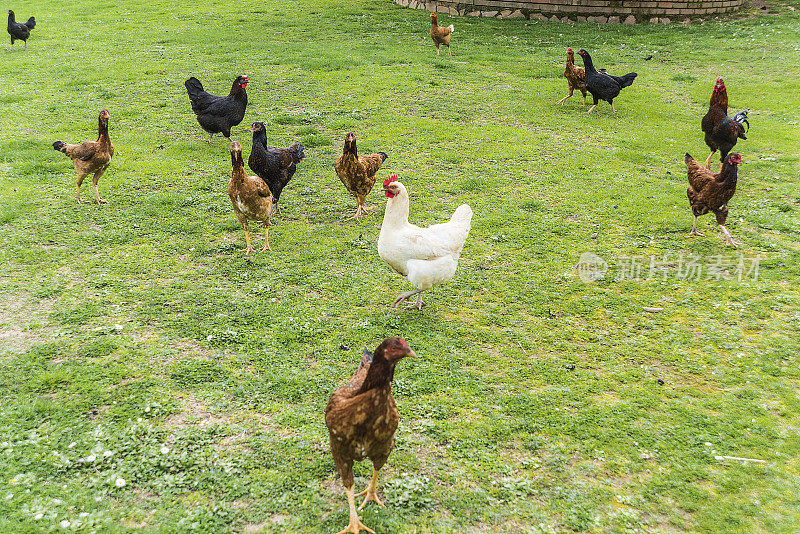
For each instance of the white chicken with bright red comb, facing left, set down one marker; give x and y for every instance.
(427, 256)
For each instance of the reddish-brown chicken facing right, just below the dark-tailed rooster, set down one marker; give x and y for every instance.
(711, 192)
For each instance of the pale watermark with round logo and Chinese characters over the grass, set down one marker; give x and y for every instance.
(675, 266)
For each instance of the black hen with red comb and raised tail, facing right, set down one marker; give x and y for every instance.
(218, 114)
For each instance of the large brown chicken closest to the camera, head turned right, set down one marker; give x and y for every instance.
(362, 418)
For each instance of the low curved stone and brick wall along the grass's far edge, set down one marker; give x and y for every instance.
(614, 11)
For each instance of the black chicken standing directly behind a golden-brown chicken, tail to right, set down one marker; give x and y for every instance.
(275, 166)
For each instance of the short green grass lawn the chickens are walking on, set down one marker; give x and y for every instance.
(154, 379)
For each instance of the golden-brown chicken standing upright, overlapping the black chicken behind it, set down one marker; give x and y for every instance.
(250, 196)
